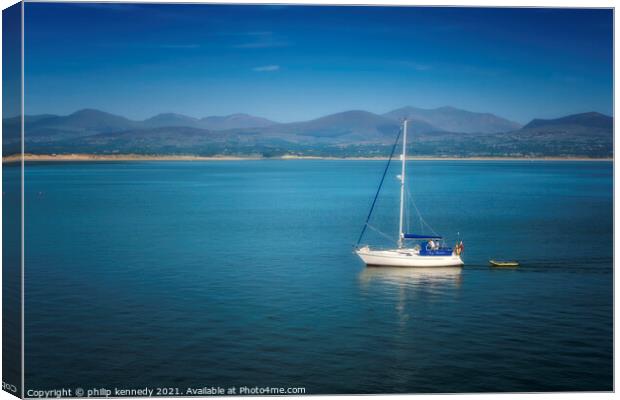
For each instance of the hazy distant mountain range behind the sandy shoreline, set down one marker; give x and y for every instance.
(444, 131)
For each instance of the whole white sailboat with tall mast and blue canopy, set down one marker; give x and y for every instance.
(413, 250)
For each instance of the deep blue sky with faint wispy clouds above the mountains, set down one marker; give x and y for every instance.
(300, 62)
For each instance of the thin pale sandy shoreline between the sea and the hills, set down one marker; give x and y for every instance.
(139, 157)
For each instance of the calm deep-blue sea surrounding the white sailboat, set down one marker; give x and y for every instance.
(241, 273)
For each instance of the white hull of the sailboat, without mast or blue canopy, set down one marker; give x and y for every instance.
(406, 258)
